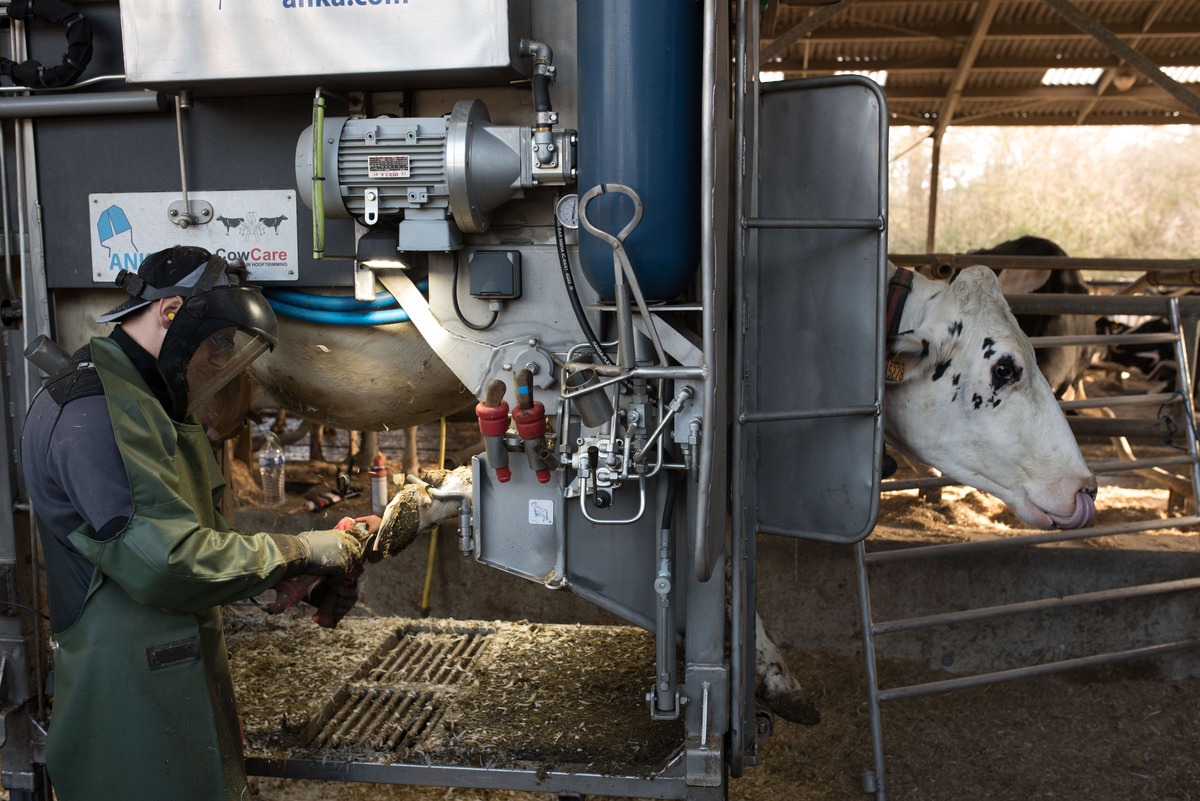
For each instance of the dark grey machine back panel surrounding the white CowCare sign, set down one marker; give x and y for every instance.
(231, 144)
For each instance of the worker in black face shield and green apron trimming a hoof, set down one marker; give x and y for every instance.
(139, 561)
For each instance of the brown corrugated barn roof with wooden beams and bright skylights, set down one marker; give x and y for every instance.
(986, 62)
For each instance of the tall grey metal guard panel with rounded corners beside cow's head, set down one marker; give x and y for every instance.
(817, 278)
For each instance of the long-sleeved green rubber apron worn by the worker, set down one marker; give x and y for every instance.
(143, 703)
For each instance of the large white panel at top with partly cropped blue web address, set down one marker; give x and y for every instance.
(343, 45)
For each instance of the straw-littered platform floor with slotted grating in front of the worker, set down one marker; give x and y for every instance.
(380, 698)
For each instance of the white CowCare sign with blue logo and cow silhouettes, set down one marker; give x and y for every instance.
(257, 226)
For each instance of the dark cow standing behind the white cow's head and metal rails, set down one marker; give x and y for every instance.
(1063, 366)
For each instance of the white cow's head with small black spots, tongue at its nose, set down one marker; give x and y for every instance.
(974, 405)
